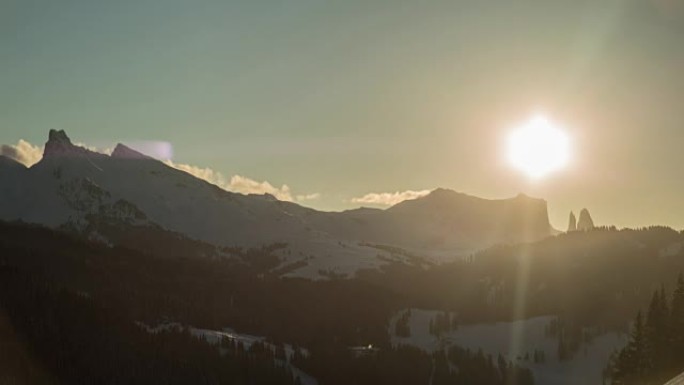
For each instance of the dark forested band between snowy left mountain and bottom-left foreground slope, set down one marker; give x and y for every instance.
(206, 293)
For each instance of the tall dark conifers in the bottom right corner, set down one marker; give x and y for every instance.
(655, 351)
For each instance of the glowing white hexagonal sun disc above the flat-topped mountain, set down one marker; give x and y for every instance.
(538, 148)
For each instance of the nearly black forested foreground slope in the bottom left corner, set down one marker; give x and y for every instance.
(57, 336)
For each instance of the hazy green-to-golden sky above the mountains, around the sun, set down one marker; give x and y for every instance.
(329, 101)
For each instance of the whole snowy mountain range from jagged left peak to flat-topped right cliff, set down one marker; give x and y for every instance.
(77, 189)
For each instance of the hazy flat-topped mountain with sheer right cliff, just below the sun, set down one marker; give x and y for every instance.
(446, 220)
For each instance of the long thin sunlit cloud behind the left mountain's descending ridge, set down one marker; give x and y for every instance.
(241, 184)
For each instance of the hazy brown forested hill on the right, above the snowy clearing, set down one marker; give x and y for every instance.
(596, 278)
